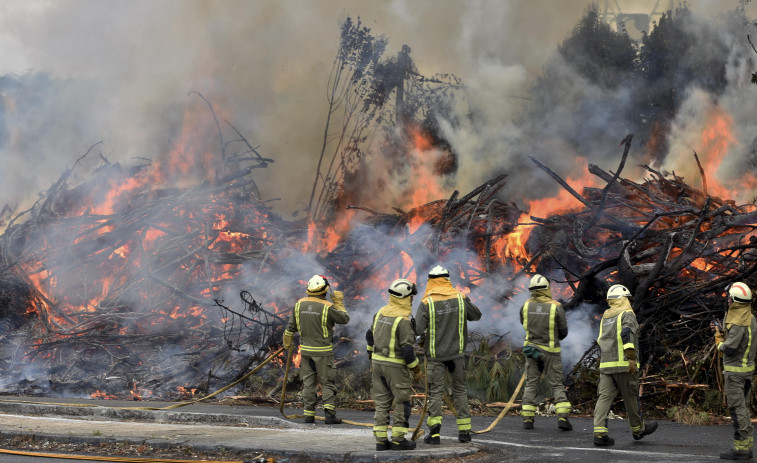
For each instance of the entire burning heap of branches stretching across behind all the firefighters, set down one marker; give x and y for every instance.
(128, 293)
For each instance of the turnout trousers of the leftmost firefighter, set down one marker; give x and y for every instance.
(313, 369)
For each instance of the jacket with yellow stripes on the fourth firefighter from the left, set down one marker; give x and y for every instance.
(544, 321)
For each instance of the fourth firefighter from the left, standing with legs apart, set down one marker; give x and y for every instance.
(544, 321)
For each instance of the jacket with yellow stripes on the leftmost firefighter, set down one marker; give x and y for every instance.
(314, 317)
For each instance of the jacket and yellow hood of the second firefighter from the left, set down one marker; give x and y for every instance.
(391, 336)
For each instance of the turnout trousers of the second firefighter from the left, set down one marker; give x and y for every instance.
(391, 385)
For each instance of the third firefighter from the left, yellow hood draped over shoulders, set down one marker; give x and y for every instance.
(442, 321)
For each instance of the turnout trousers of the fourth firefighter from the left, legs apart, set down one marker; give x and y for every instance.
(551, 366)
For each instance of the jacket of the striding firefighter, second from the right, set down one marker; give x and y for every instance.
(618, 331)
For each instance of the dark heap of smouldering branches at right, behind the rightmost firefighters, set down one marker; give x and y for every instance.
(675, 247)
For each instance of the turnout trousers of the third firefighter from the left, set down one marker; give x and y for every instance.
(436, 372)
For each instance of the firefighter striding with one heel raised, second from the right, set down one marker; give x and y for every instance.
(618, 367)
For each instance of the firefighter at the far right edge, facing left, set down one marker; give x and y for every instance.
(738, 347)
